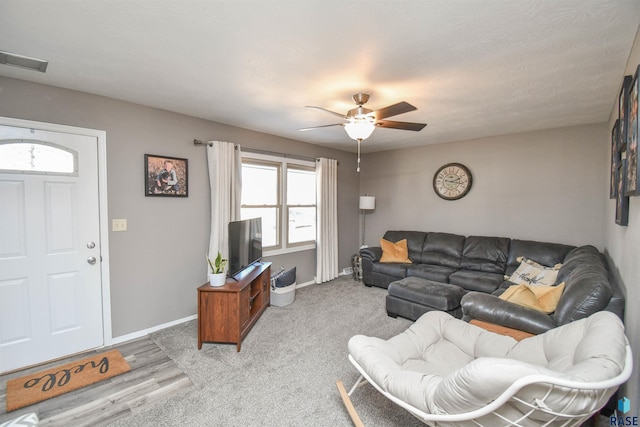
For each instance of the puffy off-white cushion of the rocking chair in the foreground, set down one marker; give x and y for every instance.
(442, 365)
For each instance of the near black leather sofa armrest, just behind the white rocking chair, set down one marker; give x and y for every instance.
(490, 308)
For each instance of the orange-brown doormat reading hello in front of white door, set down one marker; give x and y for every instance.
(39, 386)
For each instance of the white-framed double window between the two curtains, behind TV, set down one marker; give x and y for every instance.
(283, 193)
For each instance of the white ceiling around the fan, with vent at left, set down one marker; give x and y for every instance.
(473, 68)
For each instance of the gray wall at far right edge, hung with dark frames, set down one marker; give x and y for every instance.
(623, 246)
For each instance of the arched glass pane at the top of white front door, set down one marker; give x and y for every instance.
(37, 157)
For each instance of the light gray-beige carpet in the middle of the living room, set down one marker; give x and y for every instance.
(285, 374)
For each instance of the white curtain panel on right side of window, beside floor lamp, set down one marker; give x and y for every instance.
(327, 234)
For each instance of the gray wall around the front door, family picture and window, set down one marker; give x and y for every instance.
(158, 263)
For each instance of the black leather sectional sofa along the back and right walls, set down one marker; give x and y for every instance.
(478, 265)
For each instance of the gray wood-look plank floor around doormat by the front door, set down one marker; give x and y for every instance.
(153, 376)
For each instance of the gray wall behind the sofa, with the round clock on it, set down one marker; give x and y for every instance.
(544, 185)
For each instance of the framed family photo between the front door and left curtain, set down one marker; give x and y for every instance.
(166, 176)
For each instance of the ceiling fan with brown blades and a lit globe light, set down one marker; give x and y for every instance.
(360, 122)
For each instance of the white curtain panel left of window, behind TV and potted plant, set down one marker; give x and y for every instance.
(225, 180)
